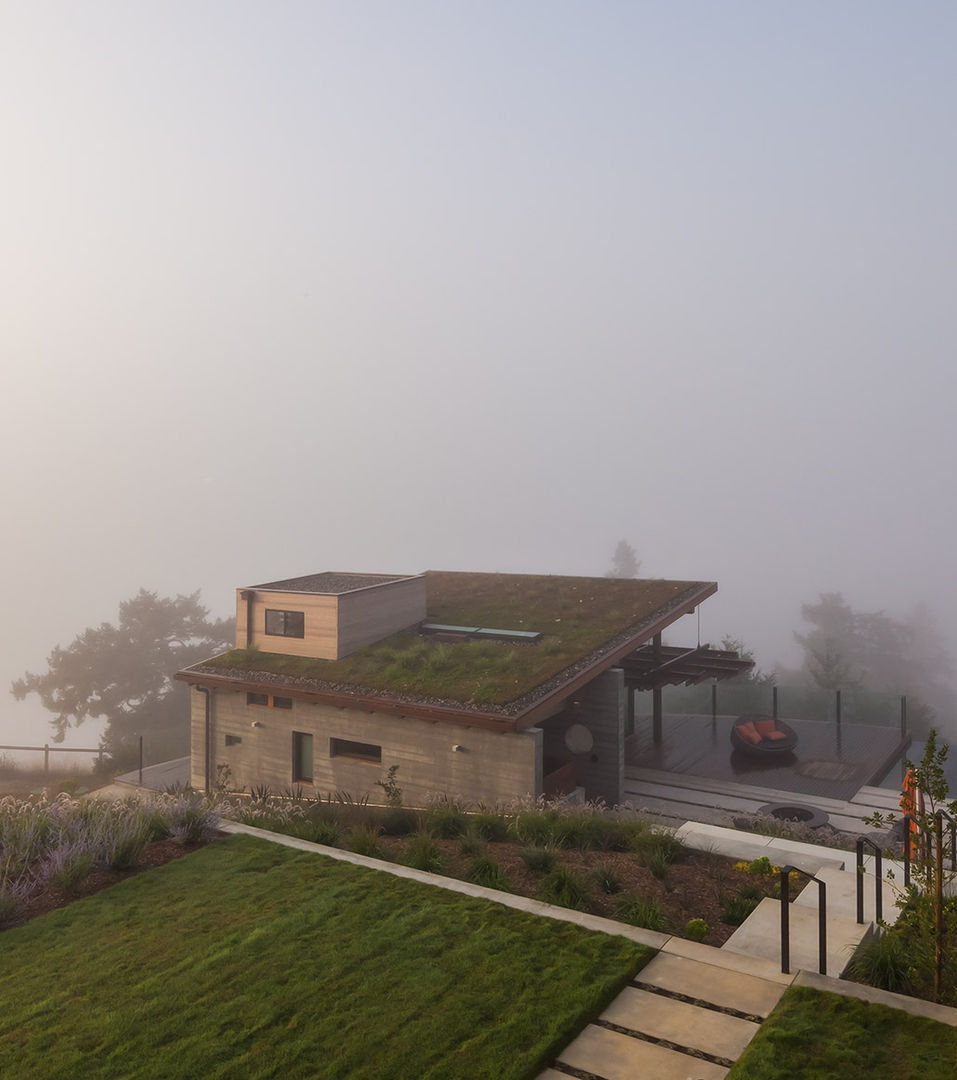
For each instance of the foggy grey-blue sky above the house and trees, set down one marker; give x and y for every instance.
(393, 287)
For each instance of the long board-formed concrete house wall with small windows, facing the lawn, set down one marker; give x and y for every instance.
(489, 766)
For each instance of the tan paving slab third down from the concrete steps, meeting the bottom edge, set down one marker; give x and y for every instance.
(617, 1057)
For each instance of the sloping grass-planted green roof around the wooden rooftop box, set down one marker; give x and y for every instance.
(581, 619)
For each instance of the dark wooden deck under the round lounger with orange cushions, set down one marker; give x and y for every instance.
(831, 761)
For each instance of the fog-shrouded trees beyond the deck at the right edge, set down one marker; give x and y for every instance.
(846, 650)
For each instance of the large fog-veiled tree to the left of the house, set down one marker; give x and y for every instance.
(125, 673)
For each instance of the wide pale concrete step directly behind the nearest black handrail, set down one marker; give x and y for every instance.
(761, 936)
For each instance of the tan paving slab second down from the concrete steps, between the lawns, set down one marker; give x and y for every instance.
(679, 1022)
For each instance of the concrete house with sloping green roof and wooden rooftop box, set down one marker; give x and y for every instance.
(484, 687)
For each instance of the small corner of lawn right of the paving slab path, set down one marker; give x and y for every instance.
(814, 1035)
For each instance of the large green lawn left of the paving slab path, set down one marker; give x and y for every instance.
(250, 960)
